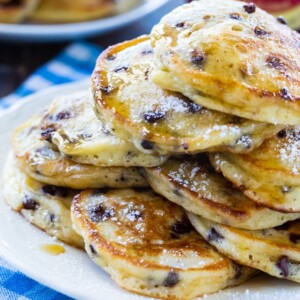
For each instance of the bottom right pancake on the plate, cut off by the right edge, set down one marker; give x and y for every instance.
(275, 251)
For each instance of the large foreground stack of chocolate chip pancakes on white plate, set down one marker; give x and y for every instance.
(182, 168)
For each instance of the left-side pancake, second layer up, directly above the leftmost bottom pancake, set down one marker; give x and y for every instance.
(43, 162)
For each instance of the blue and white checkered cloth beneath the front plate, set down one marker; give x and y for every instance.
(76, 62)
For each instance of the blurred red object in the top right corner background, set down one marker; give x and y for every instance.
(276, 6)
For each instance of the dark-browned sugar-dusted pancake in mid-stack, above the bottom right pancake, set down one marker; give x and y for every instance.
(193, 184)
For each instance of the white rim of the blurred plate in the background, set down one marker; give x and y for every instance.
(59, 32)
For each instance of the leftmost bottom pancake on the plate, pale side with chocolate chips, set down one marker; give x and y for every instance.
(45, 206)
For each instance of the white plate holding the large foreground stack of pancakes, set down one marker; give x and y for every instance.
(73, 273)
